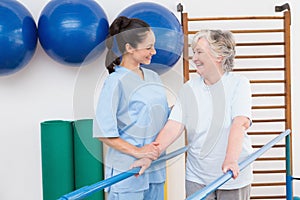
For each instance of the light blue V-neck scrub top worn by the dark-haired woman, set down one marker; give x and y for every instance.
(134, 110)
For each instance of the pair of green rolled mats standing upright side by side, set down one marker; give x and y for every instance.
(71, 158)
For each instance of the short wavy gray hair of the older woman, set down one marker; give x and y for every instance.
(221, 43)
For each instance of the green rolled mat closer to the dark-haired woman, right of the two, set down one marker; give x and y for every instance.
(88, 157)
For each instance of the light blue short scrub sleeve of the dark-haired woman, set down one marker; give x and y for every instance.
(105, 123)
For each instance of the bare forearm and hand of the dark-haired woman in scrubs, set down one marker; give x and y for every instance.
(150, 151)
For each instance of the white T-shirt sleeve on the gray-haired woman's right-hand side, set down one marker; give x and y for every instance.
(241, 105)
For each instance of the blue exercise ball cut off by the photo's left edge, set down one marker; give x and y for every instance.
(18, 36)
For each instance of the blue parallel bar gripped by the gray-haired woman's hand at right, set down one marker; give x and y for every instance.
(201, 194)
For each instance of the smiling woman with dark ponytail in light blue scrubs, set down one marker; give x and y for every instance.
(132, 109)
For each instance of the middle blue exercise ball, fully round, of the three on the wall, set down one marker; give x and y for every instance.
(72, 31)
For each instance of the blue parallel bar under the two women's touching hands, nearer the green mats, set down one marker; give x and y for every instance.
(88, 190)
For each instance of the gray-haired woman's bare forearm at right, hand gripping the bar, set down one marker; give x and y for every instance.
(235, 143)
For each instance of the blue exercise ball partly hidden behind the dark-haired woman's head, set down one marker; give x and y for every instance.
(167, 30)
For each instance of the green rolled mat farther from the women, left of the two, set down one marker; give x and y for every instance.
(57, 158)
